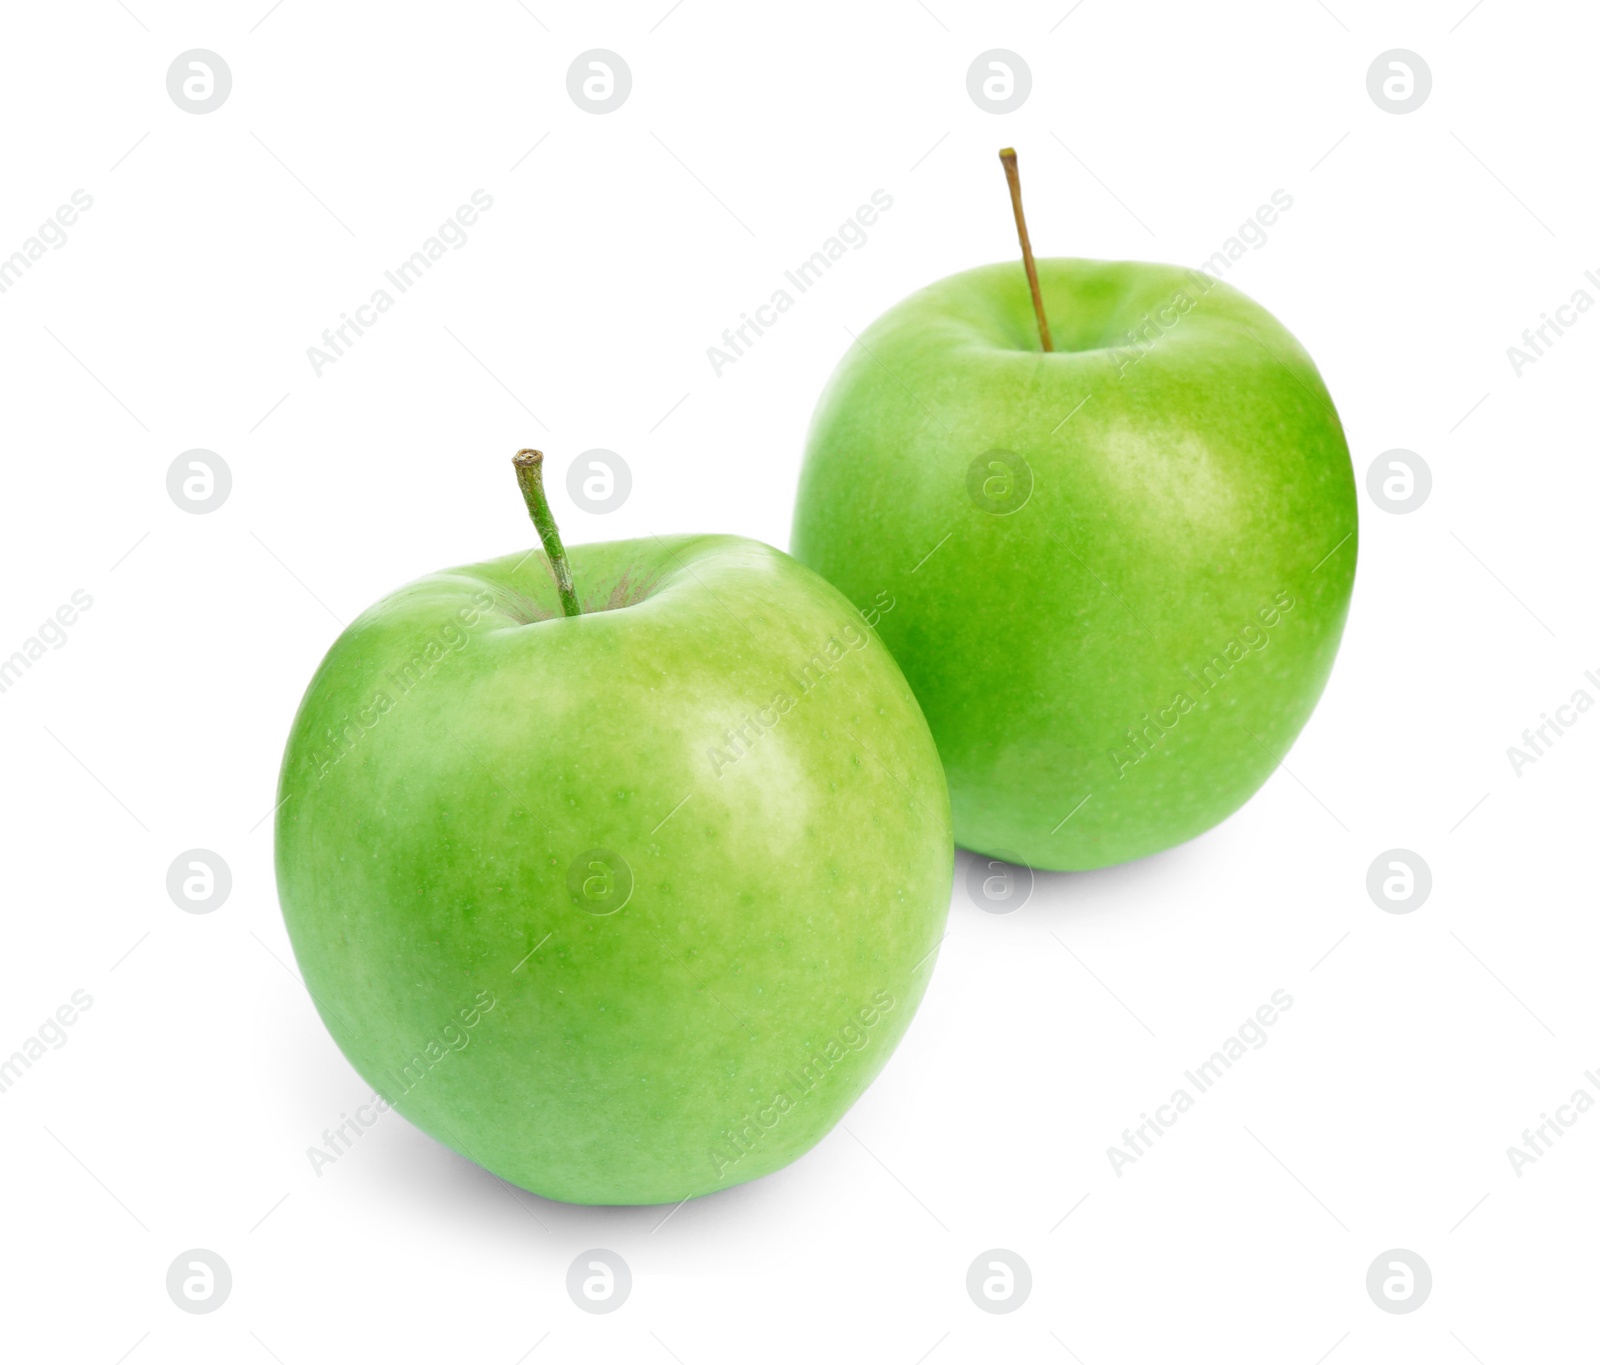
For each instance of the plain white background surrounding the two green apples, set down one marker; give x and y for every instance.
(178, 314)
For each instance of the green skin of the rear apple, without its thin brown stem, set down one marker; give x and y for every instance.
(1183, 489)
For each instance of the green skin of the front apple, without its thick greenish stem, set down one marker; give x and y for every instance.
(785, 913)
